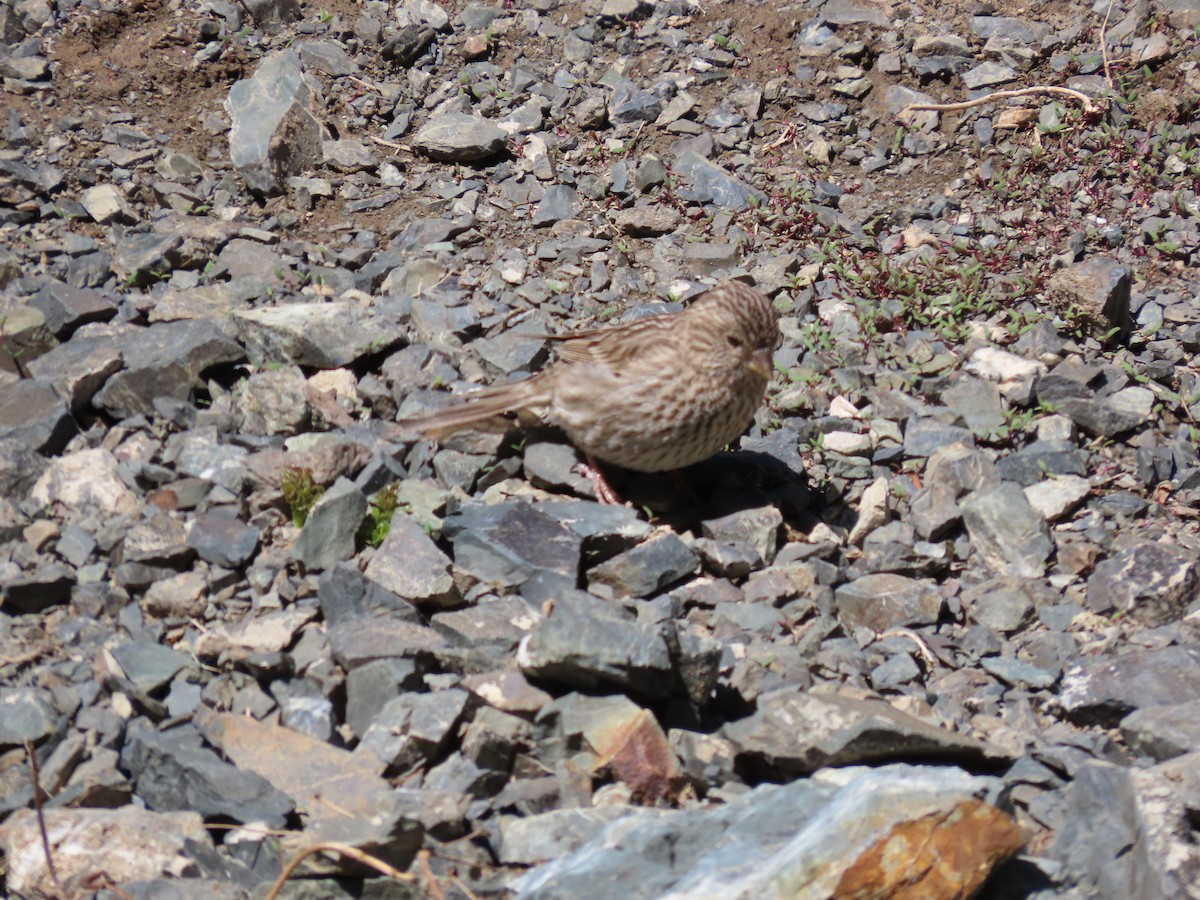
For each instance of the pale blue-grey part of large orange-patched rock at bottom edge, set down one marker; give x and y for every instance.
(766, 842)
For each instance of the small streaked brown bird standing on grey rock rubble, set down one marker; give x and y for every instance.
(652, 395)
